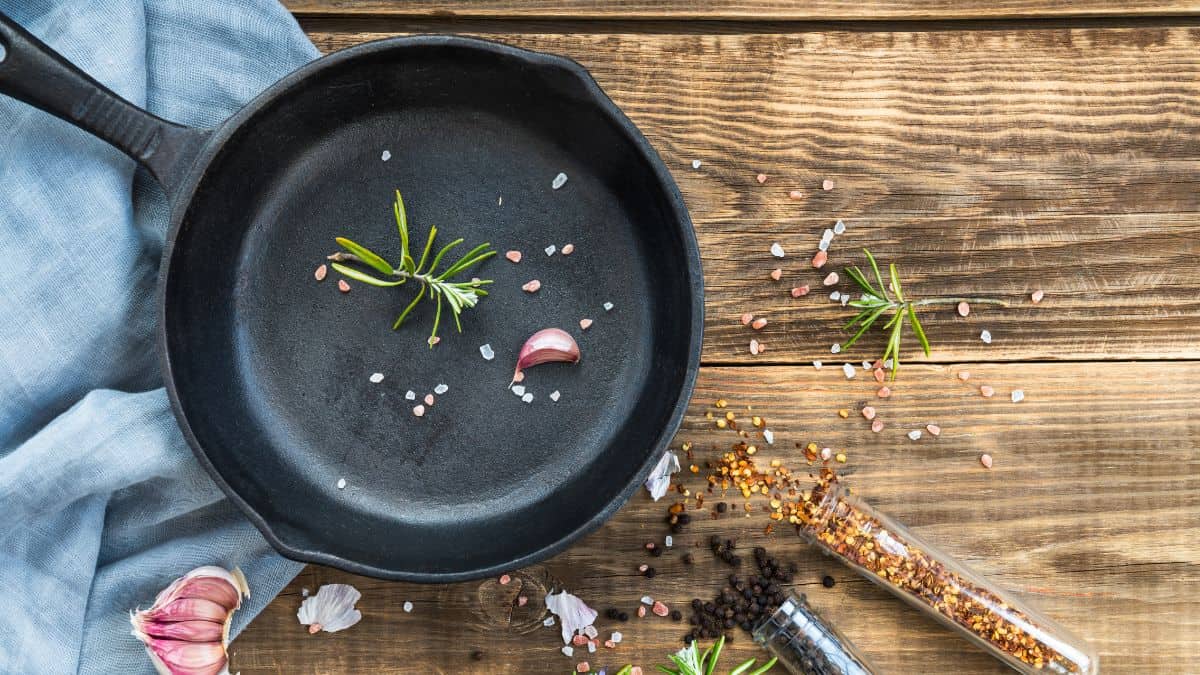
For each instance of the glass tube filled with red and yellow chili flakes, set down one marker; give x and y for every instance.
(889, 554)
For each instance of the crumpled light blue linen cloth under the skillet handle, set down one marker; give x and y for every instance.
(101, 501)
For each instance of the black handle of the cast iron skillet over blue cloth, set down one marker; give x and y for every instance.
(33, 73)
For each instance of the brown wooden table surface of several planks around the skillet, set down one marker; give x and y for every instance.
(994, 148)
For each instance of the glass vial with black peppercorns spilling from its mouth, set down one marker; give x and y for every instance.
(806, 644)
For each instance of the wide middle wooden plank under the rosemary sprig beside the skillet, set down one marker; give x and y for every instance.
(986, 163)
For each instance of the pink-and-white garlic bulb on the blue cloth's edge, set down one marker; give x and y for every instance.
(187, 630)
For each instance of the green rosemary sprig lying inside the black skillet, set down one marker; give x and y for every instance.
(435, 285)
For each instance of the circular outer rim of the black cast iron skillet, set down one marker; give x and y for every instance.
(695, 283)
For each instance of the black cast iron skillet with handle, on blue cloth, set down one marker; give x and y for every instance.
(268, 369)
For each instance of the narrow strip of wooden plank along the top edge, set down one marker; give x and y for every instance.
(745, 10)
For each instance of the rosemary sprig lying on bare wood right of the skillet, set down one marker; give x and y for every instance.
(875, 303)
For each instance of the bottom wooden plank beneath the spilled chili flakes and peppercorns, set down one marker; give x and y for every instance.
(1091, 513)
